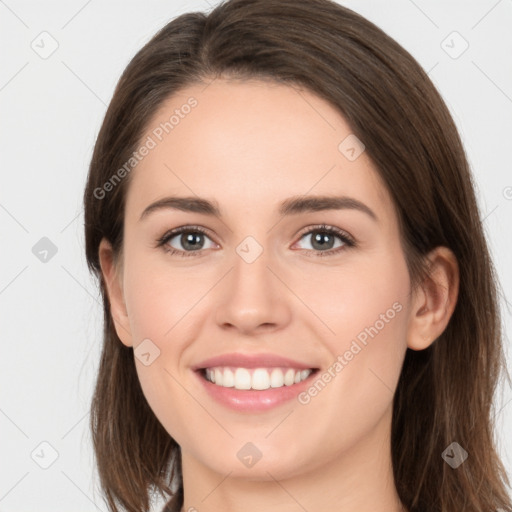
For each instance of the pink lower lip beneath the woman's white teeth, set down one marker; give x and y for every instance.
(252, 400)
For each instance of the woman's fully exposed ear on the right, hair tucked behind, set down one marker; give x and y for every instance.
(435, 300)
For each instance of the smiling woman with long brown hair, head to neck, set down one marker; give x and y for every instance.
(242, 368)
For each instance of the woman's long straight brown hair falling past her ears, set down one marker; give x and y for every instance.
(446, 392)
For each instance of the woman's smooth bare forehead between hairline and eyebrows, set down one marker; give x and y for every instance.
(249, 145)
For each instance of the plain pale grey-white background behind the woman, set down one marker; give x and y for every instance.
(51, 110)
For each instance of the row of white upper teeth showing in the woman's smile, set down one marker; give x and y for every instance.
(258, 378)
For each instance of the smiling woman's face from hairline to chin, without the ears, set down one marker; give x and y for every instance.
(322, 288)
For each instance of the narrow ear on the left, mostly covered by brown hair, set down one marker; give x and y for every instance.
(112, 276)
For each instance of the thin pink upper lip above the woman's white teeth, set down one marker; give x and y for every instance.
(263, 360)
